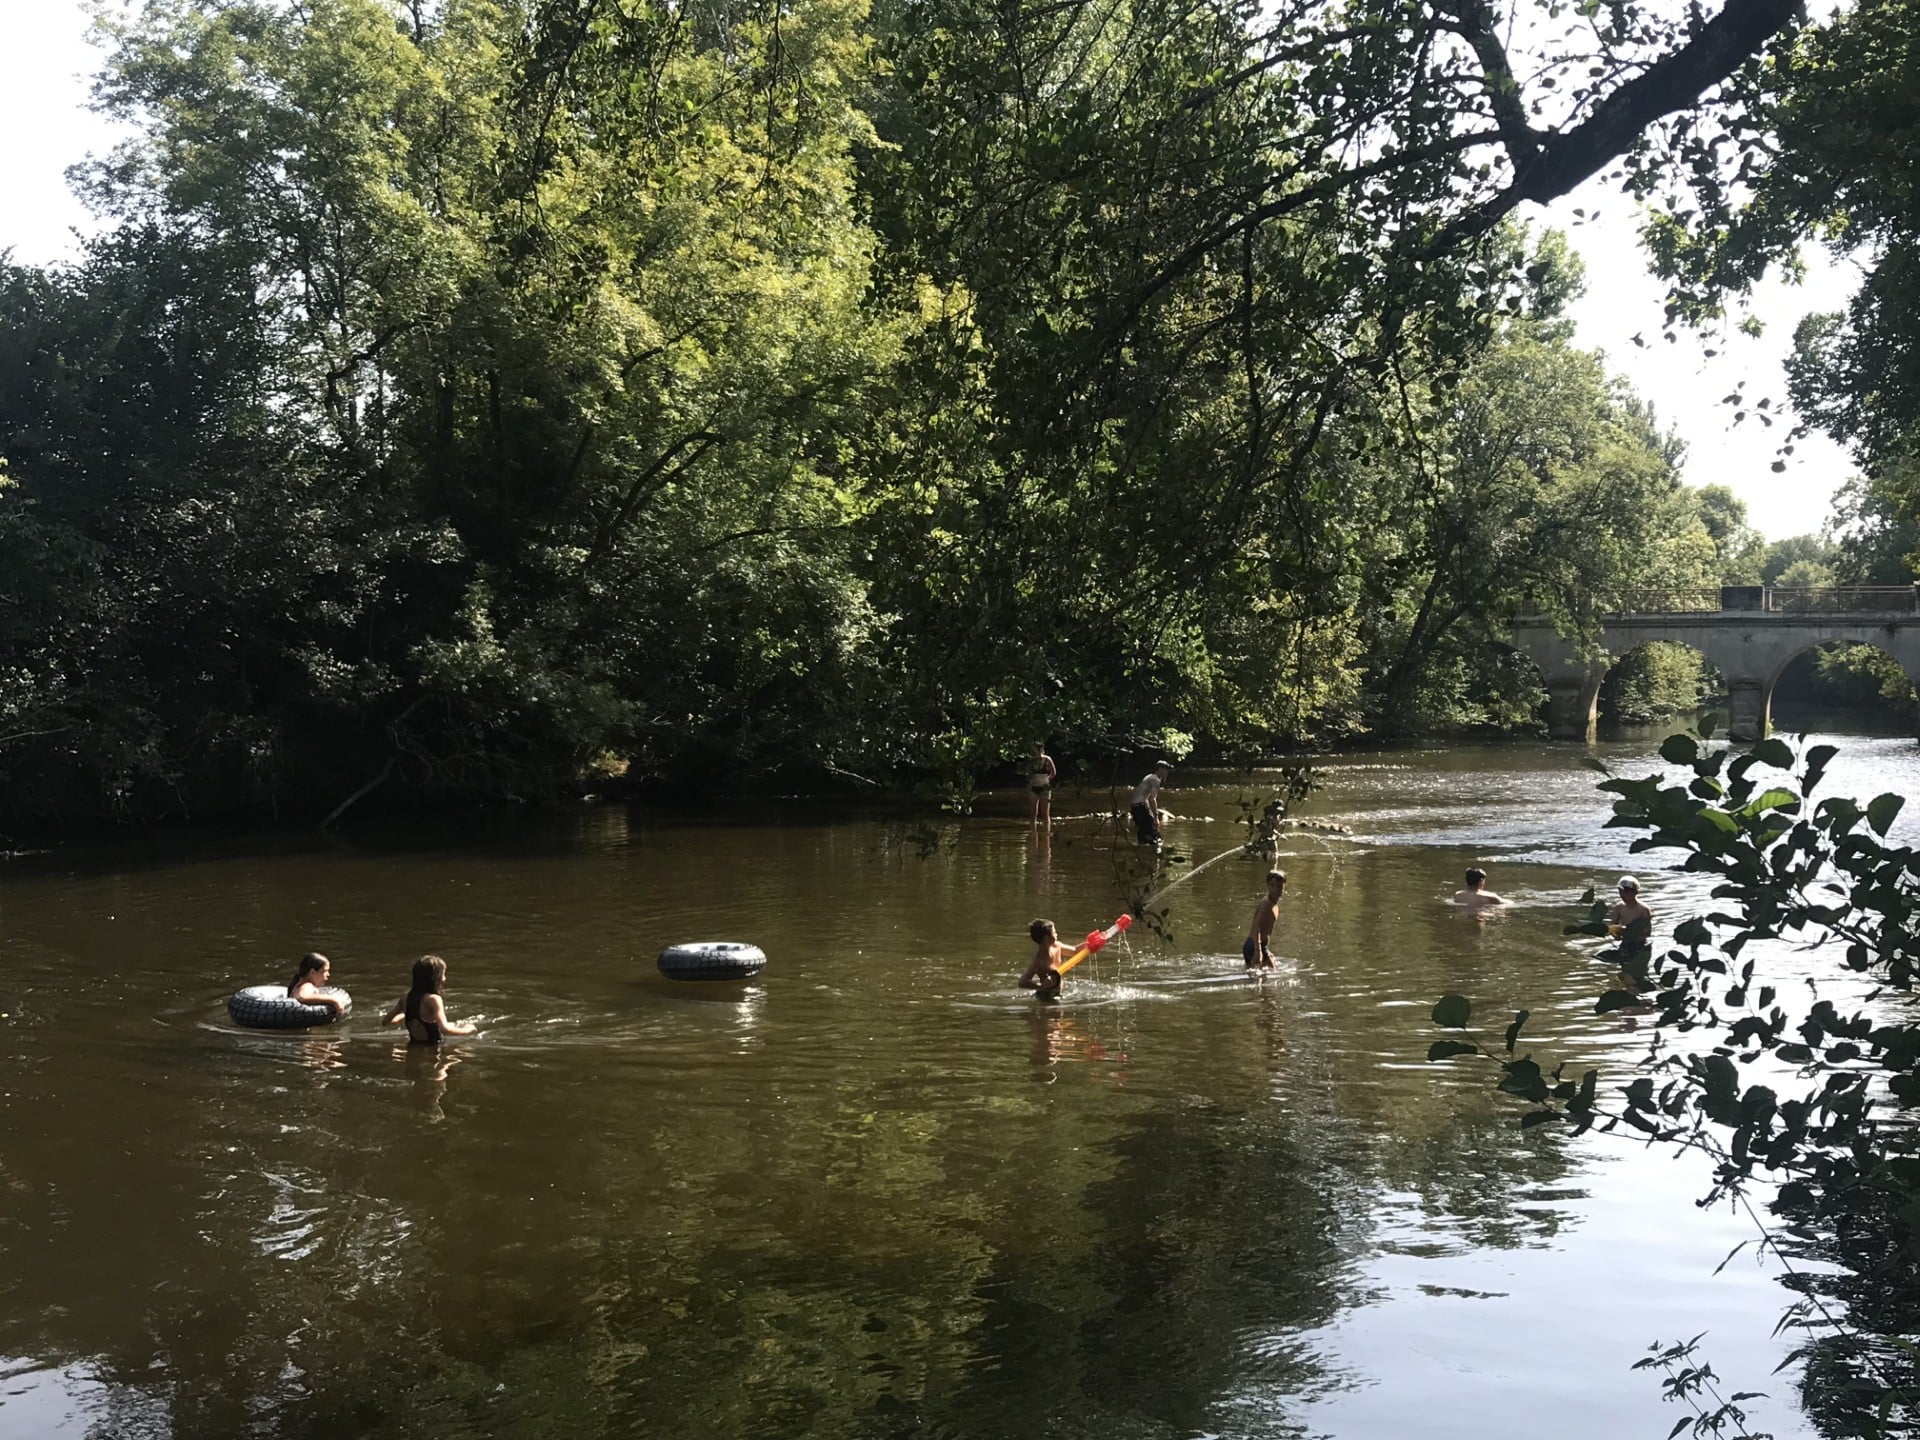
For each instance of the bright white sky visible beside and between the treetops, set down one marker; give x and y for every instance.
(47, 126)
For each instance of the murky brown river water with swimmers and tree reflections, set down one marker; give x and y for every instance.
(875, 1193)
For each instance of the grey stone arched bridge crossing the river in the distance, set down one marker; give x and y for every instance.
(1752, 648)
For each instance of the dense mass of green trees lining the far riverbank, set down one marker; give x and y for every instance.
(475, 398)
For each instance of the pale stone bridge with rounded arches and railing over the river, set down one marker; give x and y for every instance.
(1750, 633)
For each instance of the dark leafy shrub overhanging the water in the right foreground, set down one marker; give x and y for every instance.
(1798, 1084)
